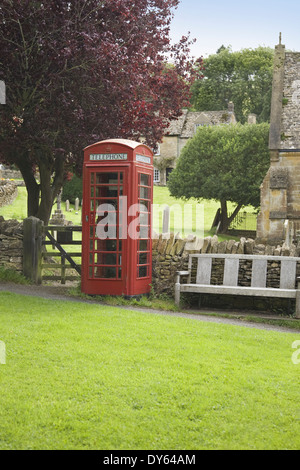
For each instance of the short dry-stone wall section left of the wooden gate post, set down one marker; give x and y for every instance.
(11, 244)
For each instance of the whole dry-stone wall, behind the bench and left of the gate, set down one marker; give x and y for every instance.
(171, 254)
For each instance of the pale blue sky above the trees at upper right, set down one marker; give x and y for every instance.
(237, 24)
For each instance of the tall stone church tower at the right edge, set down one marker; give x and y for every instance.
(280, 190)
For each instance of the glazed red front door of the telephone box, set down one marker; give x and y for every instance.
(104, 247)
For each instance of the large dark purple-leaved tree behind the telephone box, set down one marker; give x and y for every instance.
(80, 71)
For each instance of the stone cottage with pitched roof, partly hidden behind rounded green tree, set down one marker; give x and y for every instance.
(178, 133)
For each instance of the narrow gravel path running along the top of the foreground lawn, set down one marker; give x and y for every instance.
(61, 293)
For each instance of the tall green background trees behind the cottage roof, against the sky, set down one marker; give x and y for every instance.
(244, 77)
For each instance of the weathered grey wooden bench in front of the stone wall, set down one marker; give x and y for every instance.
(202, 284)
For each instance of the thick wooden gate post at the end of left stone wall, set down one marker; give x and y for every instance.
(32, 249)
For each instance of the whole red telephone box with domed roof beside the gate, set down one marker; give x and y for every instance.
(117, 218)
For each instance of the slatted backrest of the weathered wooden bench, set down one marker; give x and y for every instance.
(288, 266)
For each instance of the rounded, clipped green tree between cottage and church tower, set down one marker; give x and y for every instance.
(224, 163)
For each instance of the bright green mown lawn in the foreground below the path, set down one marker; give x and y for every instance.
(100, 377)
